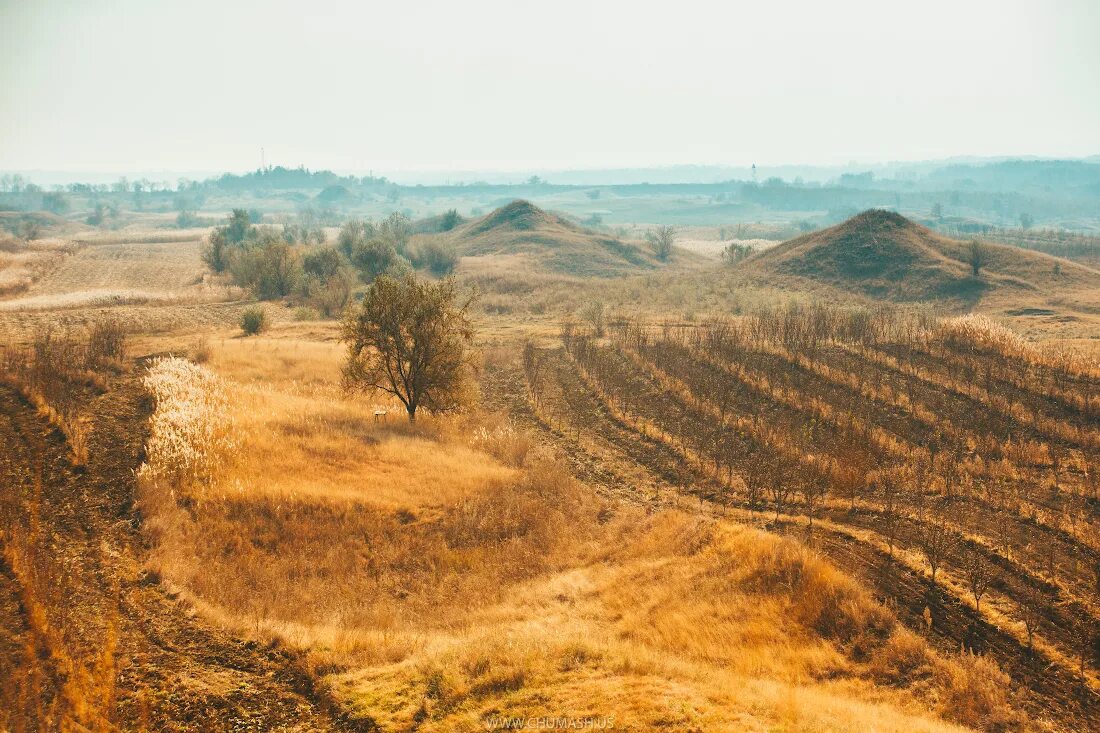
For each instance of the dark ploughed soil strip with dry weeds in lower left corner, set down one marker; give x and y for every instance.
(89, 640)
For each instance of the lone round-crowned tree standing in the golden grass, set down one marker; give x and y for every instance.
(411, 338)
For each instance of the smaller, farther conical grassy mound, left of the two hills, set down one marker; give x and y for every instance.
(549, 243)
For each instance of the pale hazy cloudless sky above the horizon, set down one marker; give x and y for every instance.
(395, 86)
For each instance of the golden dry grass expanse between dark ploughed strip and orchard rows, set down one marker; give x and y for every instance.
(449, 574)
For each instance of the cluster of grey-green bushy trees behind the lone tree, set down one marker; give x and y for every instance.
(299, 261)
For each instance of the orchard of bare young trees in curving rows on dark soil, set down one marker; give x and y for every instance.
(807, 402)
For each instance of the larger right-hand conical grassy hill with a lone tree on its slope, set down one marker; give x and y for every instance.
(883, 255)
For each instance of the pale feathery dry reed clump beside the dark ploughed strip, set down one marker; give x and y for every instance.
(190, 433)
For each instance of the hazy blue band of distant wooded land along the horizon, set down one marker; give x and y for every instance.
(1062, 194)
